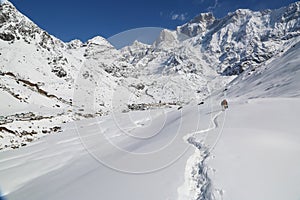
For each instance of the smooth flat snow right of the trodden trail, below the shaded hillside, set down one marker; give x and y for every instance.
(257, 154)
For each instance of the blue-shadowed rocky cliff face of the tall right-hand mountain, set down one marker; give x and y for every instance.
(244, 39)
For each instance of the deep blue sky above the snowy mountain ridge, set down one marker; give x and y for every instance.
(69, 20)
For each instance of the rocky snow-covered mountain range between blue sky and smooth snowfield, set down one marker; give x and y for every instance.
(45, 82)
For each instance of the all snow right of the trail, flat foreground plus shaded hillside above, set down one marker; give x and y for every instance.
(256, 154)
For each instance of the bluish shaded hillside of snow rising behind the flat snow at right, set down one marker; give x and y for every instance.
(279, 78)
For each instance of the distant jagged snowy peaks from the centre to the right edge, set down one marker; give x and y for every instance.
(241, 40)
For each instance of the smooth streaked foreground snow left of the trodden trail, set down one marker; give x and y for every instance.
(59, 167)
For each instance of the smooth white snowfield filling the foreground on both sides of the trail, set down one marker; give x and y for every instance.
(255, 157)
